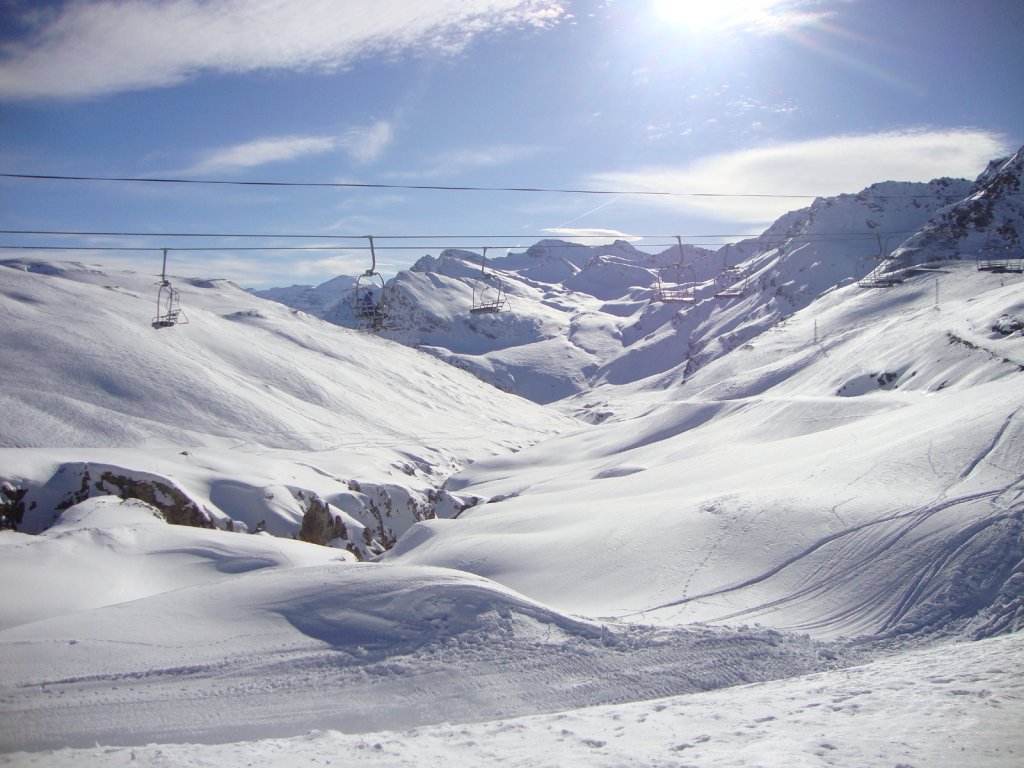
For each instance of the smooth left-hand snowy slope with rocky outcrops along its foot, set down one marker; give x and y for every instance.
(248, 416)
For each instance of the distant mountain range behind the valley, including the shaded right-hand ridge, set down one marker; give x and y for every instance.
(581, 317)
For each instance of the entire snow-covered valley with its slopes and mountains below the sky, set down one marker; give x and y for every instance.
(762, 505)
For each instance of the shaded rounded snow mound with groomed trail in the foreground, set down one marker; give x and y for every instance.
(348, 648)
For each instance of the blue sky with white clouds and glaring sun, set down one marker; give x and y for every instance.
(636, 120)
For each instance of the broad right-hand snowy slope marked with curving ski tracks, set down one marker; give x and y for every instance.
(870, 482)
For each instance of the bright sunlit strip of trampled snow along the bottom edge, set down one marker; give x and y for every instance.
(957, 705)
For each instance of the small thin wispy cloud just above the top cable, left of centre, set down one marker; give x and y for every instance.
(364, 145)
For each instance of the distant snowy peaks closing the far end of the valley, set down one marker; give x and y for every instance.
(567, 308)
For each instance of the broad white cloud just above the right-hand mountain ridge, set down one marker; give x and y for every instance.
(823, 167)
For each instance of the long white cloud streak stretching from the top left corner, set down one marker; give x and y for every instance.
(105, 47)
